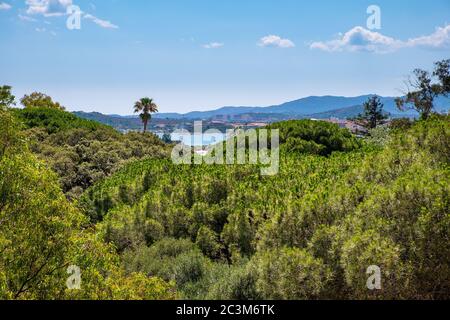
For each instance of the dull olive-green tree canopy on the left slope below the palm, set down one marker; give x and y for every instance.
(80, 151)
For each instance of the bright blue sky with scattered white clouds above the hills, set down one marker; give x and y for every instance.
(202, 54)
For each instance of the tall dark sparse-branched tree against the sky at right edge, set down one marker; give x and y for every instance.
(425, 88)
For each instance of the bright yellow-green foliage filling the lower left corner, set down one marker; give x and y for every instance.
(41, 234)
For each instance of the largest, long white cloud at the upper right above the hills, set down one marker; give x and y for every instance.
(361, 39)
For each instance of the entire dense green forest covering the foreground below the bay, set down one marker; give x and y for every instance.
(75, 192)
